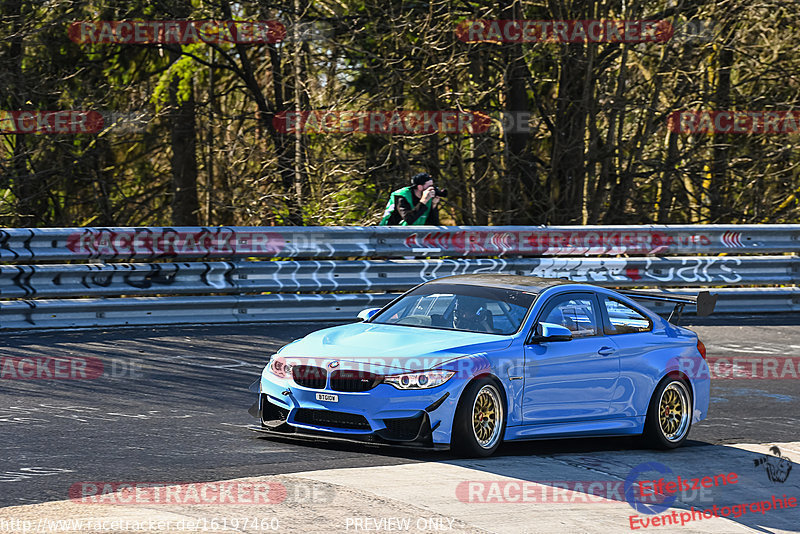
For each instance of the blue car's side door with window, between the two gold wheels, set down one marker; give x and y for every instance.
(570, 380)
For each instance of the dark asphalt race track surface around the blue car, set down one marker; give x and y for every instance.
(172, 407)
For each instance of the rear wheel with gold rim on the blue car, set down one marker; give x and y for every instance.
(669, 415)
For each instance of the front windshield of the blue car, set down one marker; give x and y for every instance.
(466, 308)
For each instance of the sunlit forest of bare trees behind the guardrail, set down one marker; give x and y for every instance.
(189, 136)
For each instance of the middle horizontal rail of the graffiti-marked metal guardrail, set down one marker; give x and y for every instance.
(114, 279)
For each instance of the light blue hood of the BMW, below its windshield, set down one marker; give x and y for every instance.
(384, 347)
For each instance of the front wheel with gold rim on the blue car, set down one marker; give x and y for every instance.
(480, 420)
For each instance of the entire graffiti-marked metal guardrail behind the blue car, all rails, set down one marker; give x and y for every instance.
(317, 263)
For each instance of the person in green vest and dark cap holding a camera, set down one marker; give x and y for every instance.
(415, 204)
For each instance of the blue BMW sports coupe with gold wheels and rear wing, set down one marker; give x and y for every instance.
(466, 362)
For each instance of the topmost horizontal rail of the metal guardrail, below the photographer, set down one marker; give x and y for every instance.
(121, 244)
